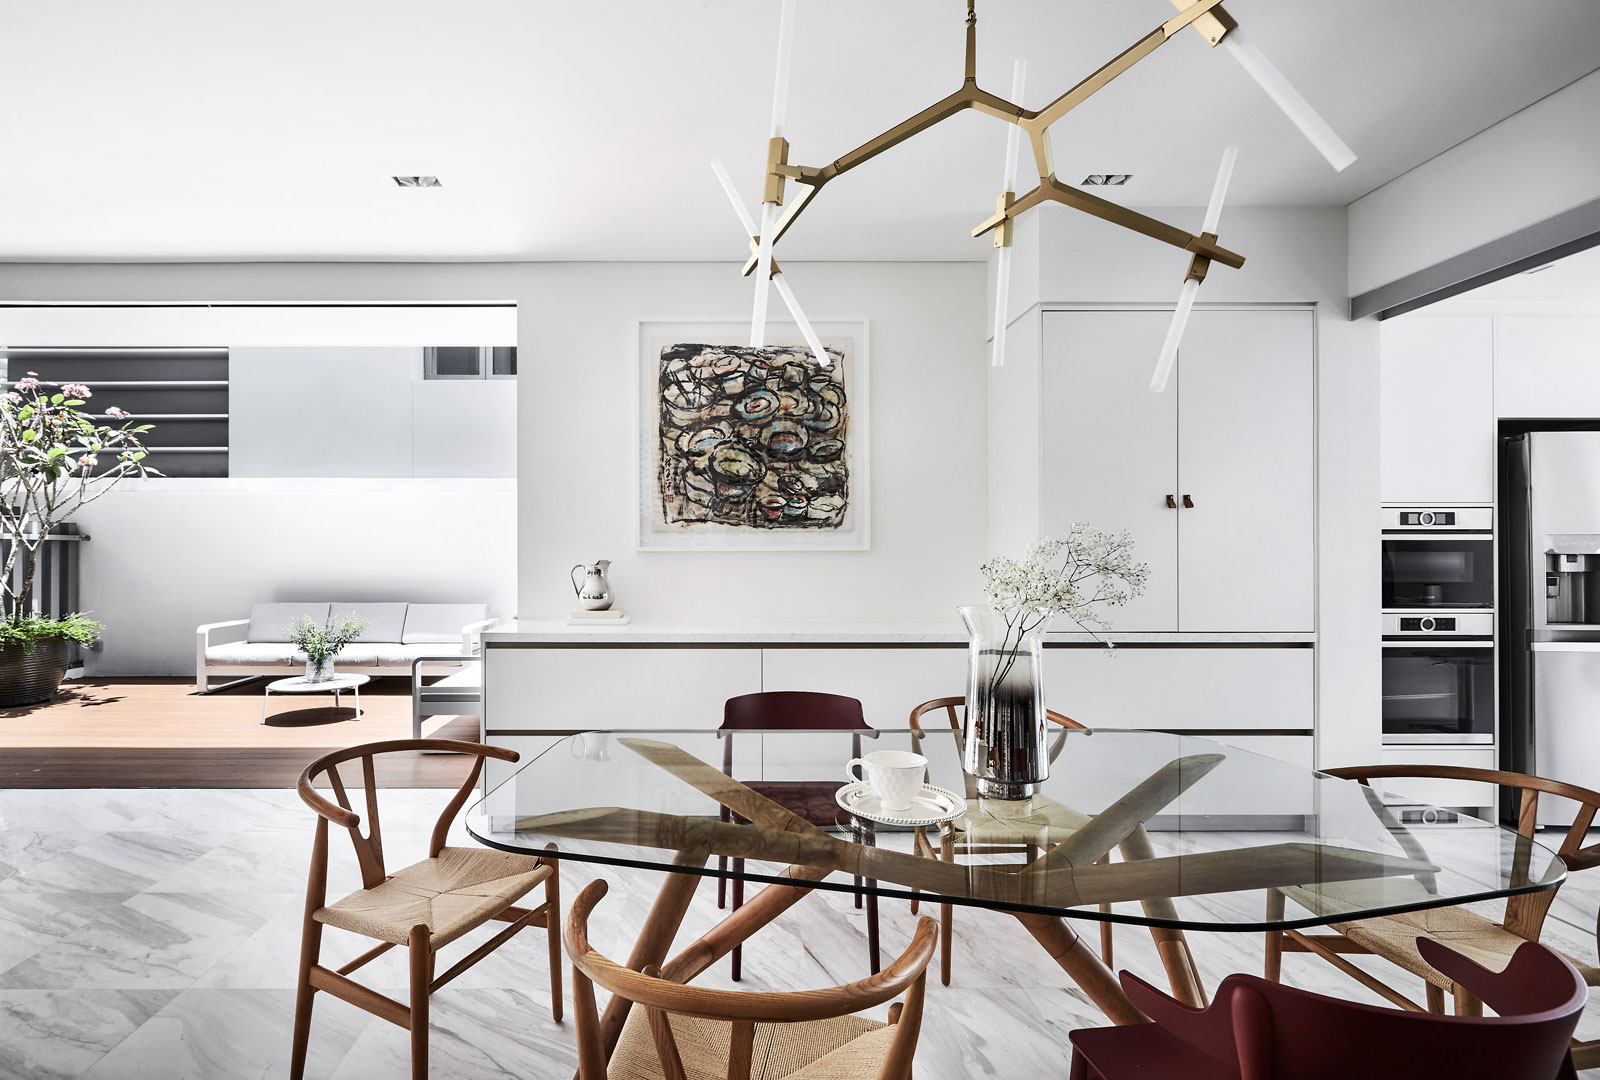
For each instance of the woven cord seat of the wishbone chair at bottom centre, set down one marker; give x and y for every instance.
(839, 1049)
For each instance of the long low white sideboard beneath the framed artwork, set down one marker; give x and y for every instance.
(546, 679)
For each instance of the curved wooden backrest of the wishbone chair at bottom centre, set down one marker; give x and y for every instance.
(663, 999)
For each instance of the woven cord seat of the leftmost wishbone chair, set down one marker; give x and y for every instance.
(450, 895)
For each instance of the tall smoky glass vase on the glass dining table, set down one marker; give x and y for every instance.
(1004, 745)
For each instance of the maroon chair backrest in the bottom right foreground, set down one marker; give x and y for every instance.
(1282, 1033)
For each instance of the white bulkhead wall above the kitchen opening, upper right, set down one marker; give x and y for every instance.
(1524, 170)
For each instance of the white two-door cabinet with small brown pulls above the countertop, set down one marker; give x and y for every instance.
(1215, 478)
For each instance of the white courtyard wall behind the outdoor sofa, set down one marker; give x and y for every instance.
(172, 554)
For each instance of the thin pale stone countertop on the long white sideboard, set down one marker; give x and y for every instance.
(820, 633)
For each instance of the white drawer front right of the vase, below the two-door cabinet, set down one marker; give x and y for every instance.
(1183, 689)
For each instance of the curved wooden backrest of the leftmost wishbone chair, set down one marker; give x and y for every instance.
(370, 847)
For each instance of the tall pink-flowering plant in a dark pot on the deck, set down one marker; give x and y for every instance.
(55, 460)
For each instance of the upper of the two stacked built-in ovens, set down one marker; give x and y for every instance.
(1439, 561)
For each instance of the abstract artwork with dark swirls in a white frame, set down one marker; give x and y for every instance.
(745, 449)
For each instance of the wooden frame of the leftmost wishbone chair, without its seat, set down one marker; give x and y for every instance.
(370, 860)
